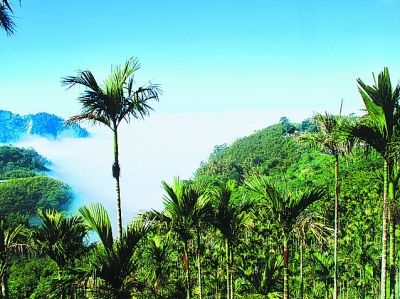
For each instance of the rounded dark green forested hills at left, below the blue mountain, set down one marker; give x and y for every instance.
(24, 187)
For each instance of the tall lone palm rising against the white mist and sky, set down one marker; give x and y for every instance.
(114, 102)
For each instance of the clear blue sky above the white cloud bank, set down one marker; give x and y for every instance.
(208, 55)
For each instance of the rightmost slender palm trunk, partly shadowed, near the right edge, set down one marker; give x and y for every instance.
(392, 241)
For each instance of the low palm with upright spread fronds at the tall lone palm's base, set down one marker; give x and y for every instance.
(111, 265)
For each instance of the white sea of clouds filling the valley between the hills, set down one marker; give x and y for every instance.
(152, 150)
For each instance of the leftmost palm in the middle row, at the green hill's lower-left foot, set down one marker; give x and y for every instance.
(185, 209)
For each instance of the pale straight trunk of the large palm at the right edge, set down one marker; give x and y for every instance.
(384, 229)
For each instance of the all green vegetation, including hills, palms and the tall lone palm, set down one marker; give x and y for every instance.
(305, 210)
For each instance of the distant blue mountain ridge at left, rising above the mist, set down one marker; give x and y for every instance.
(14, 126)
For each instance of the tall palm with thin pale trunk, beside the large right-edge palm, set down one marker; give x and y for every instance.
(331, 140)
